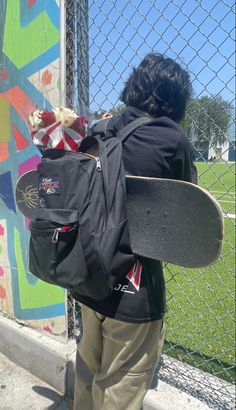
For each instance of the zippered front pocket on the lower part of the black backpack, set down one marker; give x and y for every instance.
(55, 253)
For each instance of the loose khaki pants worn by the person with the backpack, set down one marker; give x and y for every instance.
(115, 362)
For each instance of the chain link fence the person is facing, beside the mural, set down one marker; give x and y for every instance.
(104, 40)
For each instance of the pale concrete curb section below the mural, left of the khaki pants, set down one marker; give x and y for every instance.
(44, 357)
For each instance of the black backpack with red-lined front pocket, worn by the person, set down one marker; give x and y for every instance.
(79, 237)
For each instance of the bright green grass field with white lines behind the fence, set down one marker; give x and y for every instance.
(201, 316)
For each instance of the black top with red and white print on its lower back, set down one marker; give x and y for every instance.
(158, 149)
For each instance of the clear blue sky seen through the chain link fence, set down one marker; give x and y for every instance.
(198, 34)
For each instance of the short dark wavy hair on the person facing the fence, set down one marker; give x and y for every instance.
(159, 87)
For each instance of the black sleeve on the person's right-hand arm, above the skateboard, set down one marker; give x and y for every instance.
(183, 167)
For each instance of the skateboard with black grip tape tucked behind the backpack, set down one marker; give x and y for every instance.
(172, 221)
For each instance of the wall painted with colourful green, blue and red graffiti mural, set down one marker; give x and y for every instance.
(29, 78)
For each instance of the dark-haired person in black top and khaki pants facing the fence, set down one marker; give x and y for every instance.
(122, 334)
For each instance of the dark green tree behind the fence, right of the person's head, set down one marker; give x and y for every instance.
(206, 121)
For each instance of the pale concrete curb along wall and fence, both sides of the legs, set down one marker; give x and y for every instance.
(53, 362)
